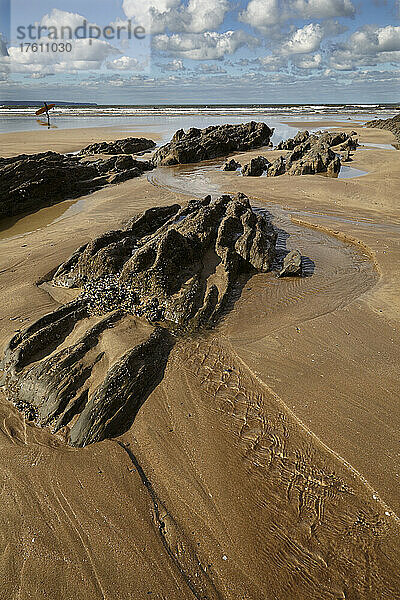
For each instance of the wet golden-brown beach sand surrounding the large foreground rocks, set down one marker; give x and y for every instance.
(266, 463)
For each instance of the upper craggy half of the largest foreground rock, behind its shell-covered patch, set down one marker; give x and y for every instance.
(164, 268)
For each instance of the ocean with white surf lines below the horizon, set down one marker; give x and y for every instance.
(167, 119)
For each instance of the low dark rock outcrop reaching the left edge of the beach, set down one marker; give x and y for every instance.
(30, 181)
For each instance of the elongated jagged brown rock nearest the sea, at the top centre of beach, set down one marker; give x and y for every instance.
(203, 144)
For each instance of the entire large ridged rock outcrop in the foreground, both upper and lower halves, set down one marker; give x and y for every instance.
(178, 268)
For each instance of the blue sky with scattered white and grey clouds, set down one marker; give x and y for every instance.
(201, 51)
